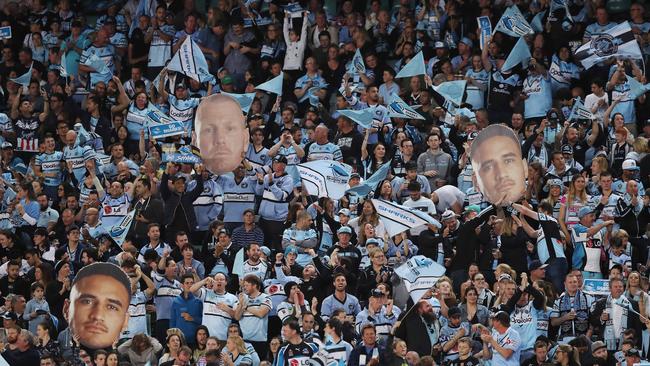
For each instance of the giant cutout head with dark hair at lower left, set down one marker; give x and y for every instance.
(97, 310)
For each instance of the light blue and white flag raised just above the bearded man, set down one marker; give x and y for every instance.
(419, 274)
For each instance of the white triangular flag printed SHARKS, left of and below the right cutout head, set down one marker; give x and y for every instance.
(397, 218)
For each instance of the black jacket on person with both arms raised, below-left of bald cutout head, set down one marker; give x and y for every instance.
(185, 200)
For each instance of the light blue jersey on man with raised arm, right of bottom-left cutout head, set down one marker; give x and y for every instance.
(215, 319)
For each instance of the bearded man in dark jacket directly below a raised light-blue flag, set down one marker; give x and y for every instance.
(416, 323)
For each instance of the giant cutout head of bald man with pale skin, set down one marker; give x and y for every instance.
(221, 133)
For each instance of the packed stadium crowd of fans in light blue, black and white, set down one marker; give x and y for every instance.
(560, 278)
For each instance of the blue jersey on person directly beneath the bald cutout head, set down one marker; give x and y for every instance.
(237, 196)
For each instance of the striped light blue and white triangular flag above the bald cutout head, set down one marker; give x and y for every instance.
(189, 60)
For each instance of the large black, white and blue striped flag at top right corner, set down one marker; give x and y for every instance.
(617, 42)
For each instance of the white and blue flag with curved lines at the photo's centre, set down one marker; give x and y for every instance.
(325, 178)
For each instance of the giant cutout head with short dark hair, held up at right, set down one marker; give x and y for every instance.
(499, 170)
